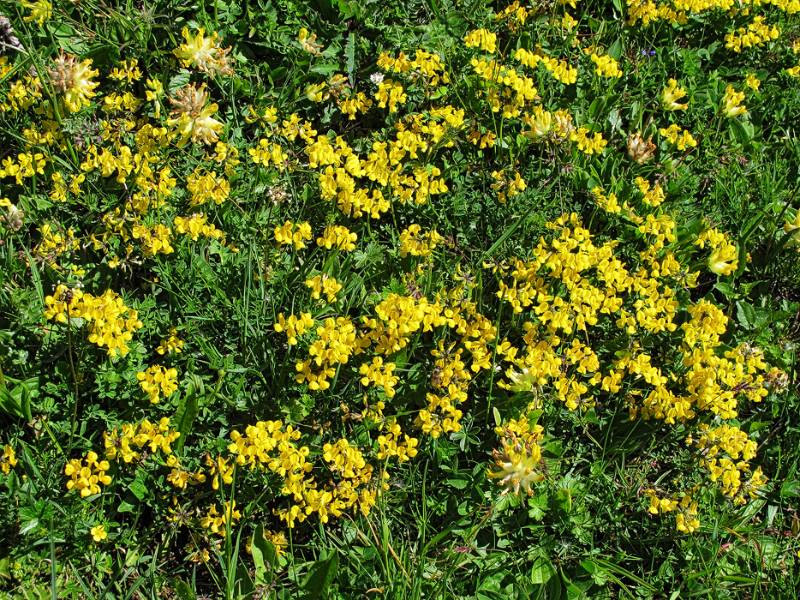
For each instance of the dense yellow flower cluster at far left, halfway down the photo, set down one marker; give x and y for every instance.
(111, 323)
